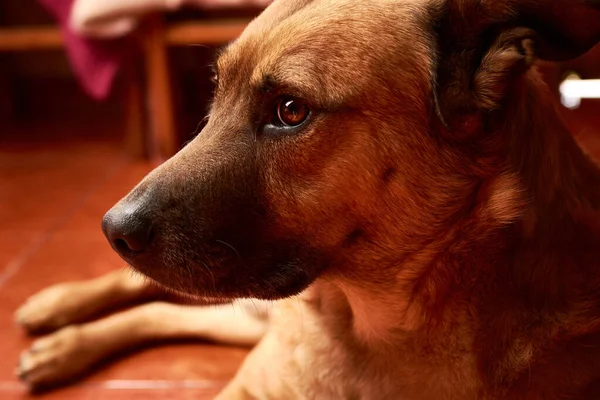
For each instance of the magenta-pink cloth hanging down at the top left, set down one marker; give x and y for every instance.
(95, 62)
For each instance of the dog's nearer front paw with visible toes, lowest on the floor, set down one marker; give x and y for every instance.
(58, 358)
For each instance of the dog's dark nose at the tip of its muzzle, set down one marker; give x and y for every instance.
(127, 229)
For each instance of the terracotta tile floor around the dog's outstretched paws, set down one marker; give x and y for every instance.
(54, 189)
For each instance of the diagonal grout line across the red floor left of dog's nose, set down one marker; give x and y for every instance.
(15, 265)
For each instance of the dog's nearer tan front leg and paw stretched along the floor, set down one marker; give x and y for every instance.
(71, 351)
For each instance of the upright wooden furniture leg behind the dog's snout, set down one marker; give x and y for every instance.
(163, 135)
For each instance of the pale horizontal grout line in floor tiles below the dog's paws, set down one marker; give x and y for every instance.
(130, 384)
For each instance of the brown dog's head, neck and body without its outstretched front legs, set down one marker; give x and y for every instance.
(399, 167)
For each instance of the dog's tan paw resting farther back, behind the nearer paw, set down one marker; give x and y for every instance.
(57, 306)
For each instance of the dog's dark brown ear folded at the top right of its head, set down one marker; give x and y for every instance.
(485, 44)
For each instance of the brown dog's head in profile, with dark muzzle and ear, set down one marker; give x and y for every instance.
(343, 136)
